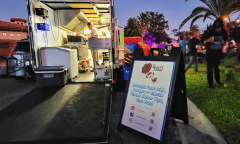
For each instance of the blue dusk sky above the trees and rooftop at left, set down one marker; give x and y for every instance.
(175, 11)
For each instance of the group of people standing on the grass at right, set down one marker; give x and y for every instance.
(214, 42)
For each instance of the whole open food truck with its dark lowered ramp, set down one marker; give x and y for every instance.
(75, 74)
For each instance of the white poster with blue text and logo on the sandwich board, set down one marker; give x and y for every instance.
(147, 98)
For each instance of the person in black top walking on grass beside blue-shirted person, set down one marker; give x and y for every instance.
(192, 45)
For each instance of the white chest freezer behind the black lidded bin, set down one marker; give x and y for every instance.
(56, 56)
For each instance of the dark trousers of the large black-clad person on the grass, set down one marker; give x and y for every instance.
(213, 63)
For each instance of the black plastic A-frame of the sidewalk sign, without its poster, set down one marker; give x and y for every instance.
(178, 71)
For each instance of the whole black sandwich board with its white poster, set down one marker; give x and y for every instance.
(151, 91)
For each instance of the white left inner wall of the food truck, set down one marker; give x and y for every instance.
(54, 37)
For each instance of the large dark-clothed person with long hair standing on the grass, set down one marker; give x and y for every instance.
(214, 43)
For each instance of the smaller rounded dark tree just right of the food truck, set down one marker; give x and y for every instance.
(133, 28)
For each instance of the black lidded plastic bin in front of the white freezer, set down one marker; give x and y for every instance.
(51, 76)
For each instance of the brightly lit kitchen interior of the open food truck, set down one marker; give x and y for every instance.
(59, 36)
